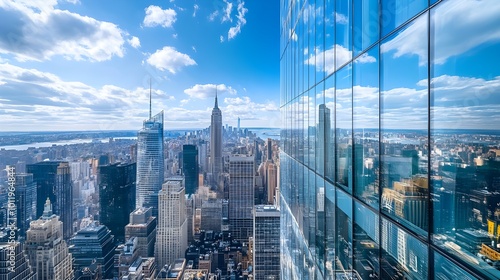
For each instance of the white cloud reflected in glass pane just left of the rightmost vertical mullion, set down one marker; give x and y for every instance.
(409, 41)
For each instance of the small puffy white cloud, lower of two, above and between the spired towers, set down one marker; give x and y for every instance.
(169, 59)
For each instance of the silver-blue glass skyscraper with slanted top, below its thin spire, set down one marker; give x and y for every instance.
(150, 164)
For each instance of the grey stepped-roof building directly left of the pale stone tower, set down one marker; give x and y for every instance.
(142, 225)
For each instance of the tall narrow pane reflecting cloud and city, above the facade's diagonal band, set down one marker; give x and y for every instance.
(366, 126)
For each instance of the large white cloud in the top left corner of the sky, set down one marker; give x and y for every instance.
(36, 30)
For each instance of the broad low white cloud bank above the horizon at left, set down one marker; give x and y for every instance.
(30, 96)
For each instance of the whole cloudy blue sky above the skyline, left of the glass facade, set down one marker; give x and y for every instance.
(86, 65)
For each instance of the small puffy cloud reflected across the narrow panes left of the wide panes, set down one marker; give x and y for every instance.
(343, 55)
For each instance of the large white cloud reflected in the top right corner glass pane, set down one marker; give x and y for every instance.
(478, 21)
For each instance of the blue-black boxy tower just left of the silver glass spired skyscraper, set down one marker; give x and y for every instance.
(116, 196)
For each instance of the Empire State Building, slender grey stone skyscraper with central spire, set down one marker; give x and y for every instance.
(216, 144)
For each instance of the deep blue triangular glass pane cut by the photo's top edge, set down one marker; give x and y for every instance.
(397, 12)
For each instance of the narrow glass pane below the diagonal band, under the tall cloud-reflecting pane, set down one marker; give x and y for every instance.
(366, 242)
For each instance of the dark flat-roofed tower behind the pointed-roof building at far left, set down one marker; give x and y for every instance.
(53, 181)
